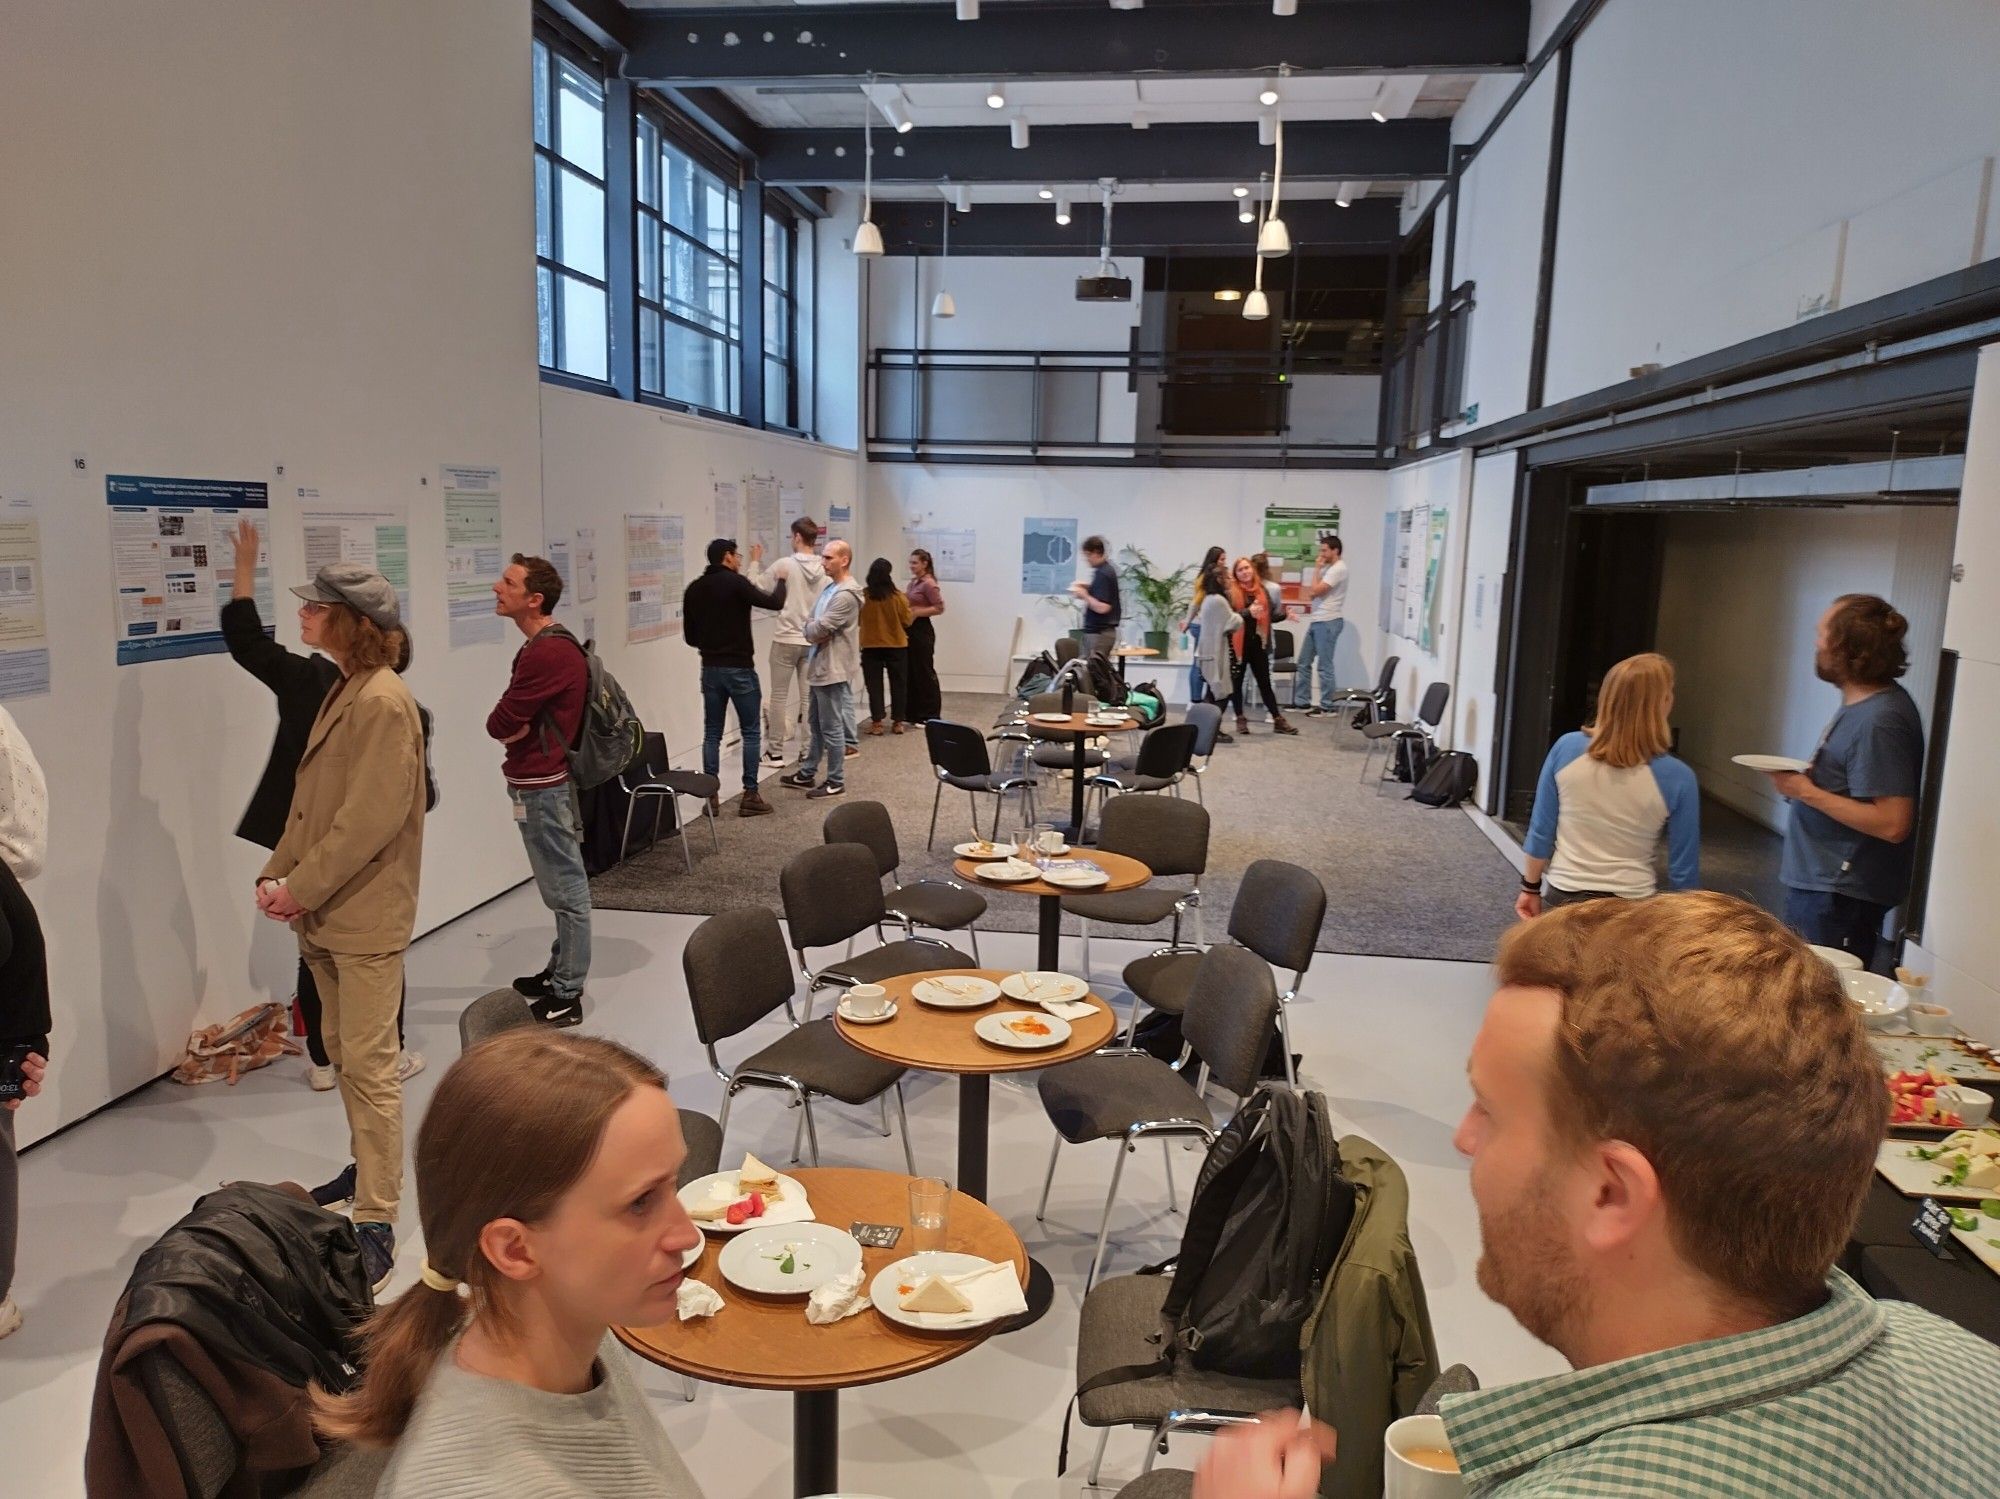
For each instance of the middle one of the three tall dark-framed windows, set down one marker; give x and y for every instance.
(689, 277)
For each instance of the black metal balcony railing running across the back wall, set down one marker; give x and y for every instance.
(1149, 409)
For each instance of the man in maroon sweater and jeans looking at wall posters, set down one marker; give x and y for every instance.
(537, 719)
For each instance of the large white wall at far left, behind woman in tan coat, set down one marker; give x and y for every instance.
(249, 235)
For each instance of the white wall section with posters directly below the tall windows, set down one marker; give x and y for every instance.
(605, 459)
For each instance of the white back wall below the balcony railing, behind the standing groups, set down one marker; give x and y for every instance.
(1171, 515)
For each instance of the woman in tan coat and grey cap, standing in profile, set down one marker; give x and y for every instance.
(345, 874)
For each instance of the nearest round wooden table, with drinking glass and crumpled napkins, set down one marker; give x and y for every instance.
(767, 1342)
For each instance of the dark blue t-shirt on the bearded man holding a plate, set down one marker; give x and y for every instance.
(1871, 750)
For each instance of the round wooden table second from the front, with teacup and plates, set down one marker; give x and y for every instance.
(943, 1040)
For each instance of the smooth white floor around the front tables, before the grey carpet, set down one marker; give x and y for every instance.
(1383, 1038)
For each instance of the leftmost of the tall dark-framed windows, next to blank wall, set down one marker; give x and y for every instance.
(573, 299)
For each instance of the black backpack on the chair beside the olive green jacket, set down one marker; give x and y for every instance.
(1271, 1210)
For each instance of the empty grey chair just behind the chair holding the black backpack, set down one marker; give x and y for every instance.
(1129, 1096)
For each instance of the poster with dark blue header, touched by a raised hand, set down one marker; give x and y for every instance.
(173, 563)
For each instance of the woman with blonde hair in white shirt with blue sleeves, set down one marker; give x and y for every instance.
(1607, 794)
